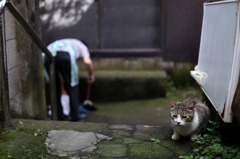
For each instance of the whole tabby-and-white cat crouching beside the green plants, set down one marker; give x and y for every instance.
(187, 117)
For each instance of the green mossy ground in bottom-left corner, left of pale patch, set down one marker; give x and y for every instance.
(24, 145)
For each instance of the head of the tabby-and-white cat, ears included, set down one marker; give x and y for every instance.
(181, 113)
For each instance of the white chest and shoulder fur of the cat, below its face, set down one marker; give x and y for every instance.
(189, 127)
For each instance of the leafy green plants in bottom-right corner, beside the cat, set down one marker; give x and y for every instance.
(210, 146)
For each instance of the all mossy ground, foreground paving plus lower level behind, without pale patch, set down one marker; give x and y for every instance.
(131, 125)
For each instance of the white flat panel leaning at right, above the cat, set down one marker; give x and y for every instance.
(217, 50)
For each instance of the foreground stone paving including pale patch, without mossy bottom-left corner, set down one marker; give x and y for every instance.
(79, 140)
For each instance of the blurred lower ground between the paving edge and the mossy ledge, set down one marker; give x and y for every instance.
(147, 112)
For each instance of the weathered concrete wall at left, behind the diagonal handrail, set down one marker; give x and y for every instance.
(26, 83)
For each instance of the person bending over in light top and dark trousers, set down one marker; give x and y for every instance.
(66, 52)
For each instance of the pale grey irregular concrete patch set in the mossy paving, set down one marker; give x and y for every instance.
(70, 143)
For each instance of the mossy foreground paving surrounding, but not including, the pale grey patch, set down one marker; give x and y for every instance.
(128, 142)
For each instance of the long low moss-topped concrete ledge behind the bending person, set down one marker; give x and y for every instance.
(125, 85)
